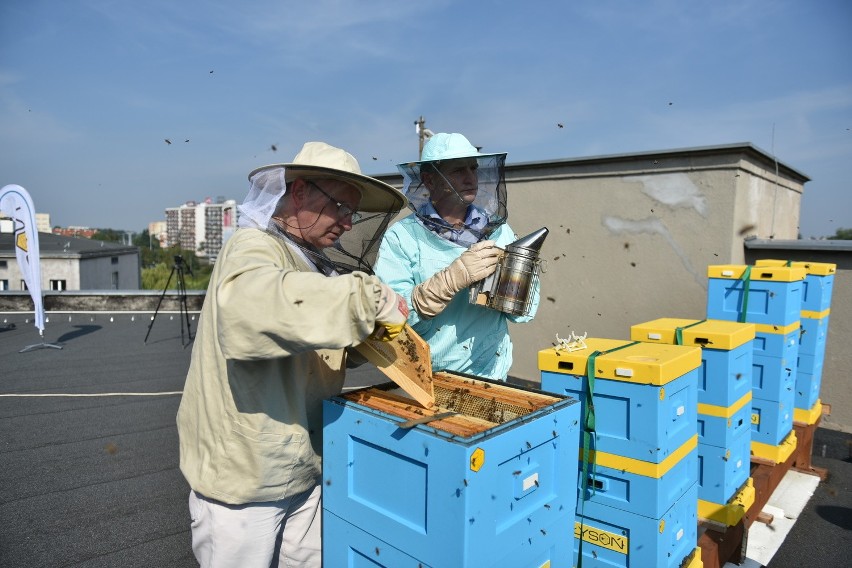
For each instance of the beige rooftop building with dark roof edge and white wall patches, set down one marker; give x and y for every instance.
(632, 235)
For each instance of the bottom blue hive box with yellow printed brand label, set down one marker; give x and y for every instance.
(613, 537)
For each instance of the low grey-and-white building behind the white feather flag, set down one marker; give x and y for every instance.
(69, 263)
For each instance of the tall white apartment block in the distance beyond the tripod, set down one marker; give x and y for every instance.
(201, 227)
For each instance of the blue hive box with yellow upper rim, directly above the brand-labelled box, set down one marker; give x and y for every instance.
(644, 488)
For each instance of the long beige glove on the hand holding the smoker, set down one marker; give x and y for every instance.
(479, 261)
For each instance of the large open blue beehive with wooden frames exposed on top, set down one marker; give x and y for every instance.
(490, 484)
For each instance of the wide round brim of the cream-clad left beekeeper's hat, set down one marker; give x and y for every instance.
(376, 196)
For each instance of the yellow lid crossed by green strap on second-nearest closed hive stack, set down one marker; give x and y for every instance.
(713, 334)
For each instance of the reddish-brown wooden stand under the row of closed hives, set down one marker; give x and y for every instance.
(722, 545)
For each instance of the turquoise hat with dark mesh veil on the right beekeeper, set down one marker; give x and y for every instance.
(490, 203)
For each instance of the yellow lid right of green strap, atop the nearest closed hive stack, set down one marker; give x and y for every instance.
(648, 363)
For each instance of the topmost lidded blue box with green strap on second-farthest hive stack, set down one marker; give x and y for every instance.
(770, 295)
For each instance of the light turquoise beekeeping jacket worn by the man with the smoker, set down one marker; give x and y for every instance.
(464, 337)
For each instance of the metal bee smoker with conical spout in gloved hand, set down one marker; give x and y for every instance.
(509, 288)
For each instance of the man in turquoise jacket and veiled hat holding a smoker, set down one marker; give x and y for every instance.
(453, 238)
